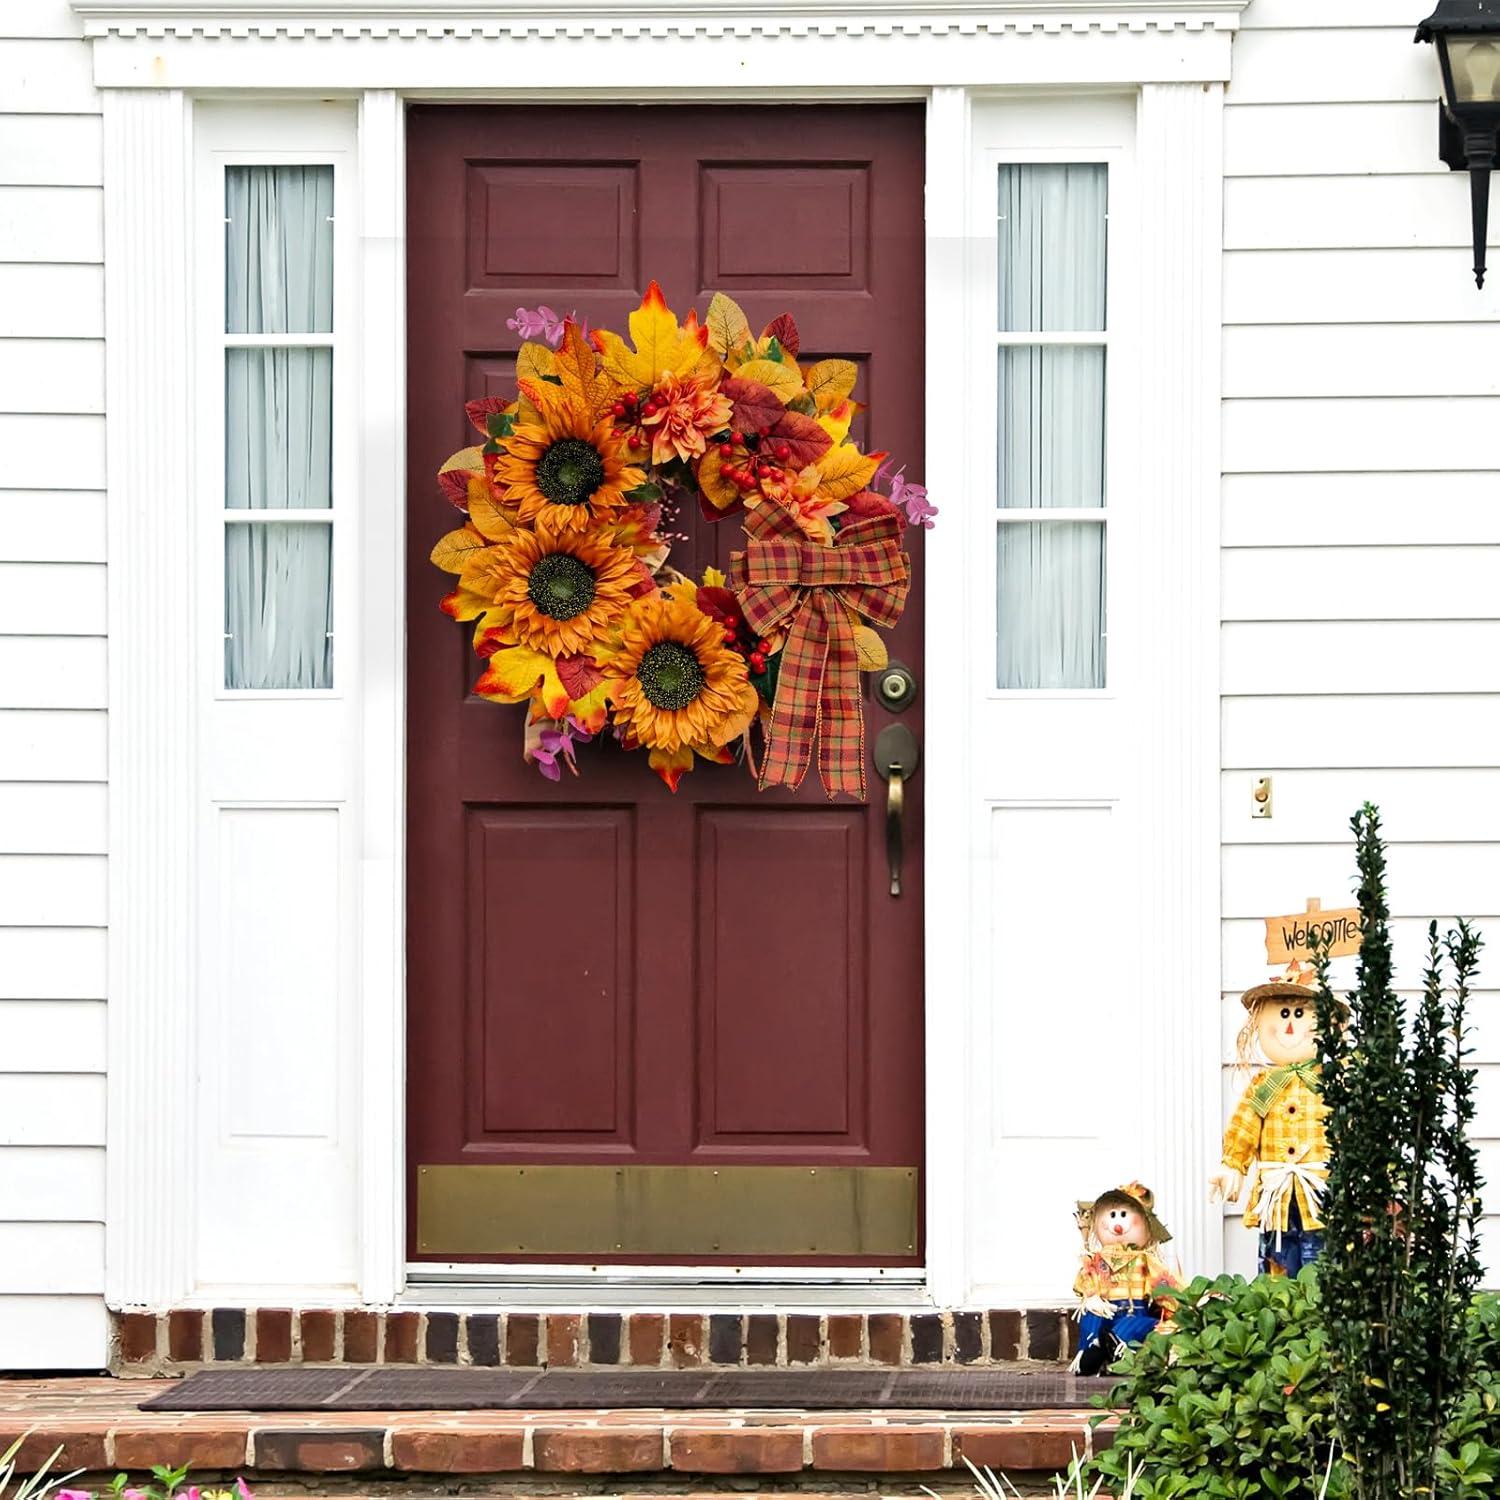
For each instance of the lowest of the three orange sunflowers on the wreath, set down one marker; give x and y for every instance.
(677, 685)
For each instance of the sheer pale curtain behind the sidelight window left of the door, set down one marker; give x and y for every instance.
(278, 428)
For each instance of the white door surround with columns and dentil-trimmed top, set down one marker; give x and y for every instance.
(154, 59)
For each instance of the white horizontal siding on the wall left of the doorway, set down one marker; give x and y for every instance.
(52, 695)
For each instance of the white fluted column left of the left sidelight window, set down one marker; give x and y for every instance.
(148, 188)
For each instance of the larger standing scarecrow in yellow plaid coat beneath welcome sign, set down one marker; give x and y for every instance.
(1279, 1124)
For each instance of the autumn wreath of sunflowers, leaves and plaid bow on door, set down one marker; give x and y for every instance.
(565, 557)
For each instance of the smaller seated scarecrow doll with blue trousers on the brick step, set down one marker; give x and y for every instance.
(1121, 1276)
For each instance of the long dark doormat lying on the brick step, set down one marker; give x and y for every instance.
(404, 1388)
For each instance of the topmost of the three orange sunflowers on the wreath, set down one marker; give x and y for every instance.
(568, 469)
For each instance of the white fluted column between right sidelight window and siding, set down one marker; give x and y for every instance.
(1181, 187)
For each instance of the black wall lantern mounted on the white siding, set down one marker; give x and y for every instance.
(1468, 37)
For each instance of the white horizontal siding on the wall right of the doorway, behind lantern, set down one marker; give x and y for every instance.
(1361, 533)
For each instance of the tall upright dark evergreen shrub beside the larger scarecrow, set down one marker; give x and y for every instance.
(1400, 1262)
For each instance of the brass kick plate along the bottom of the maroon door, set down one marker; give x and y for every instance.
(667, 1211)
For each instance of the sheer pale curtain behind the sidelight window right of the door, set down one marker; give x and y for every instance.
(1051, 575)
